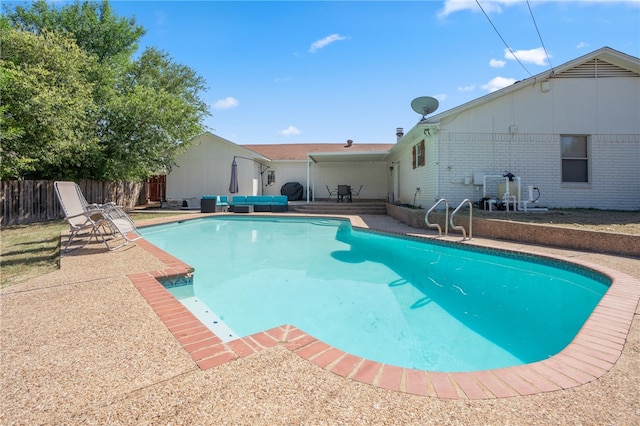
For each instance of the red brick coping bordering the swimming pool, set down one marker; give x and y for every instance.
(592, 353)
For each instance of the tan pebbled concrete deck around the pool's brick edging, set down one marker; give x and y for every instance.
(81, 345)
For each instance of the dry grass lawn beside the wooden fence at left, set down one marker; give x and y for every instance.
(28, 251)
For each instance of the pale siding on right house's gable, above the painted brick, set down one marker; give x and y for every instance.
(587, 106)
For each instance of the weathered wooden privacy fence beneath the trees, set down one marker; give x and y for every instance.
(28, 201)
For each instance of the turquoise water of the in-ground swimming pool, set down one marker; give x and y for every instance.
(407, 302)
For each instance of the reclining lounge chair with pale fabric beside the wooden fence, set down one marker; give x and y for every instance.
(103, 221)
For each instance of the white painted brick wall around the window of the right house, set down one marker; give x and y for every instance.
(614, 164)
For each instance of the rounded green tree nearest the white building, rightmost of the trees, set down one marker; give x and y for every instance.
(154, 114)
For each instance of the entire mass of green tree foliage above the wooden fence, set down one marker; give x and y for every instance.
(76, 104)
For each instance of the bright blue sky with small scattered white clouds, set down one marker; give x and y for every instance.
(328, 71)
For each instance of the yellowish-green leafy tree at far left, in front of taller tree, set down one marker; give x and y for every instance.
(47, 106)
